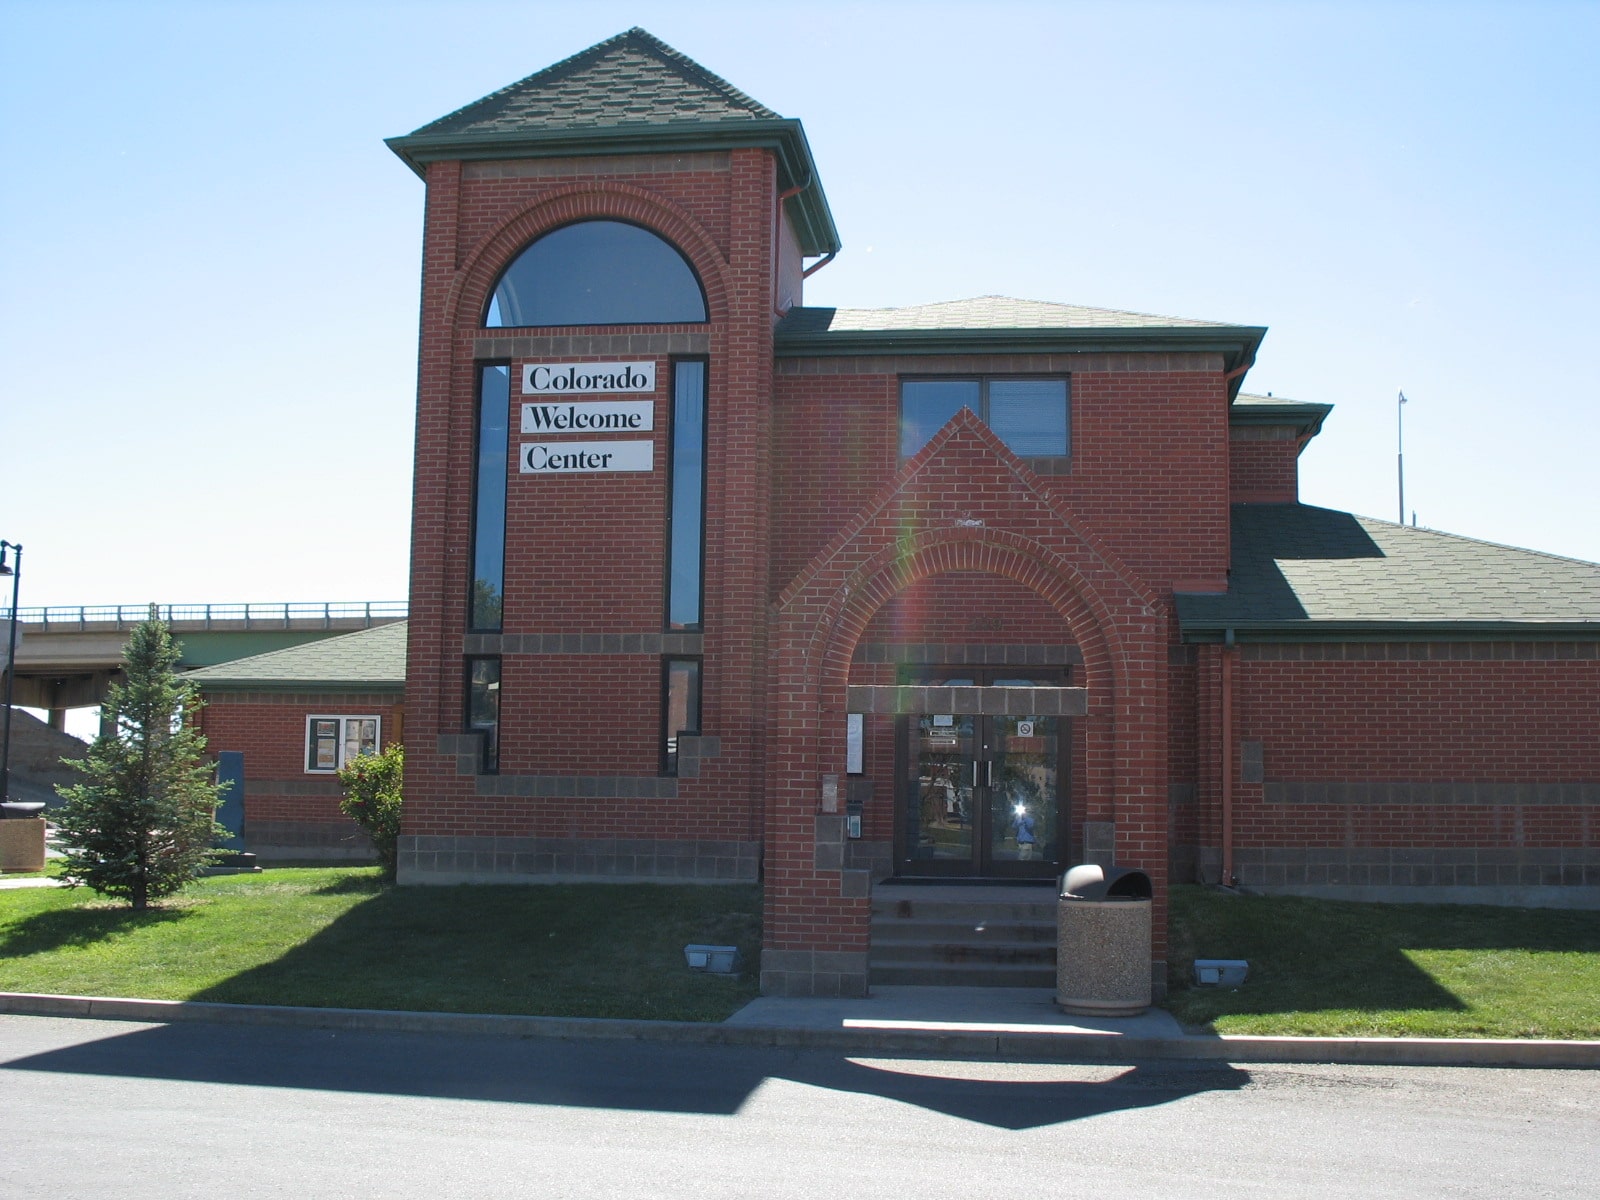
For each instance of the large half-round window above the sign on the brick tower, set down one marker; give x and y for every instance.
(598, 273)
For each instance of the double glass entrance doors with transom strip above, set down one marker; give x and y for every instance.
(980, 796)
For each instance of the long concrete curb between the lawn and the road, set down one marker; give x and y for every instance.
(1042, 1047)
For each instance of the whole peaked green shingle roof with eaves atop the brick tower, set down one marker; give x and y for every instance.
(630, 94)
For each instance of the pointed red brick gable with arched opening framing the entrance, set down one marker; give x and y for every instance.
(818, 929)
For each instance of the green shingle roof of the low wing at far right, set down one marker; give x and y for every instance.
(1316, 570)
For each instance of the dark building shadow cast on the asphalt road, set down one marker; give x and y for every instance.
(625, 1076)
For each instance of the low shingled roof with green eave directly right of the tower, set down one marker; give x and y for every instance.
(1006, 326)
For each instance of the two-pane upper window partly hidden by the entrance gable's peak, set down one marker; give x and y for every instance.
(1028, 415)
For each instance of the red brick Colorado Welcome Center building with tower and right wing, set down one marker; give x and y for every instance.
(710, 585)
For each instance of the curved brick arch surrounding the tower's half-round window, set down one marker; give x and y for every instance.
(588, 202)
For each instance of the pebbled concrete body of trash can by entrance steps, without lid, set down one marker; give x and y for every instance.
(1103, 958)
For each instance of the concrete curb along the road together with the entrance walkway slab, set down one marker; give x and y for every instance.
(1007, 1025)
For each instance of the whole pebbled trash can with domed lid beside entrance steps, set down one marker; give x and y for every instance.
(1103, 942)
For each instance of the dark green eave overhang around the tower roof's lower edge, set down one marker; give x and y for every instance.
(785, 137)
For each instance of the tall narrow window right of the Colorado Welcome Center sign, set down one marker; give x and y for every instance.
(687, 497)
